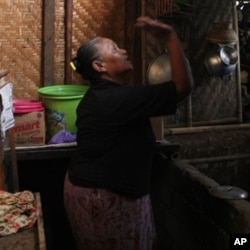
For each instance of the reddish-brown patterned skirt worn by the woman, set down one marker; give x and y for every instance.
(103, 220)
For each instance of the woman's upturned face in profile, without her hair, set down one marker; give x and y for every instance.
(114, 60)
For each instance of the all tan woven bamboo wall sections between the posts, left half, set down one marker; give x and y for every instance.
(21, 37)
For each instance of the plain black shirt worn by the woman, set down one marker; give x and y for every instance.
(115, 139)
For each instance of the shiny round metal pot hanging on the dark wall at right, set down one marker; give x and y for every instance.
(221, 61)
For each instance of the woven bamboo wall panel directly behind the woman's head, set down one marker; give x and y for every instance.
(97, 17)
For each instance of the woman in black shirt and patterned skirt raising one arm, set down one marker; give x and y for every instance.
(107, 185)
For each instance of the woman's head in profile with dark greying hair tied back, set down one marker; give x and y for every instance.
(100, 57)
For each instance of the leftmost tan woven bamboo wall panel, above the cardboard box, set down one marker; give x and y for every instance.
(20, 40)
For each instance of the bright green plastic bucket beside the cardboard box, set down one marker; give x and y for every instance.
(60, 103)
